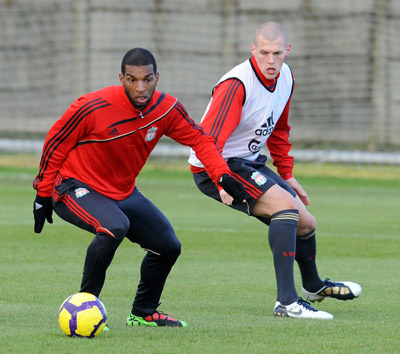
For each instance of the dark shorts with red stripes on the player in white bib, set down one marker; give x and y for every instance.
(254, 175)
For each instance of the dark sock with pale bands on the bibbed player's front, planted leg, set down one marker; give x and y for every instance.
(282, 240)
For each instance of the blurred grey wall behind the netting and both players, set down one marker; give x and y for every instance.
(345, 56)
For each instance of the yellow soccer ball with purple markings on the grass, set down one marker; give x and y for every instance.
(82, 315)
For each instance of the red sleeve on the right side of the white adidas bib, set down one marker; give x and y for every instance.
(279, 145)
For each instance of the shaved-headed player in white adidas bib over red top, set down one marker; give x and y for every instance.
(249, 109)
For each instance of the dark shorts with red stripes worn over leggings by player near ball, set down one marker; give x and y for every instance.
(135, 217)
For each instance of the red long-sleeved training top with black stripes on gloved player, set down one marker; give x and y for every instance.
(103, 141)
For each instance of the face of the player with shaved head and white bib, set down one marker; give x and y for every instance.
(270, 55)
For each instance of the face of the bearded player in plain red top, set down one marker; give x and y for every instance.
(139, 83)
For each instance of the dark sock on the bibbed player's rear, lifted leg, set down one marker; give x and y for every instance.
(306, 249)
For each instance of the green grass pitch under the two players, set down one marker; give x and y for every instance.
(223, 284)
